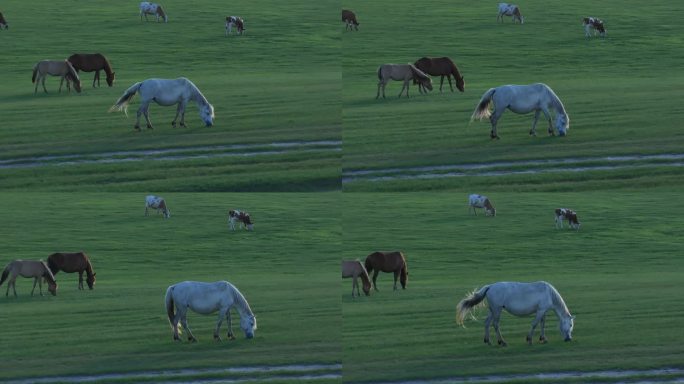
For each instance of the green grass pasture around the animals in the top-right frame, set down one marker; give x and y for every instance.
(622, 94)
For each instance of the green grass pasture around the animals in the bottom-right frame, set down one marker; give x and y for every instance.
(620, 275)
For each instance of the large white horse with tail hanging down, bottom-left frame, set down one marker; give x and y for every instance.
(207, 298)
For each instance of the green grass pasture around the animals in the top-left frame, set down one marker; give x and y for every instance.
(276, 92)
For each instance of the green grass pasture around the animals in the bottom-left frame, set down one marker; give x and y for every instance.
(287, 268)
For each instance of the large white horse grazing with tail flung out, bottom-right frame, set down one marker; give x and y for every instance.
(519, 299)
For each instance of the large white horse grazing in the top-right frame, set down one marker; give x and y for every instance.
(523, 99)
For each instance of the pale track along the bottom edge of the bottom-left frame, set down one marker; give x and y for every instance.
(231, 375)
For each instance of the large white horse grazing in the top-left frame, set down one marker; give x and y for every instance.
(166, 92)
